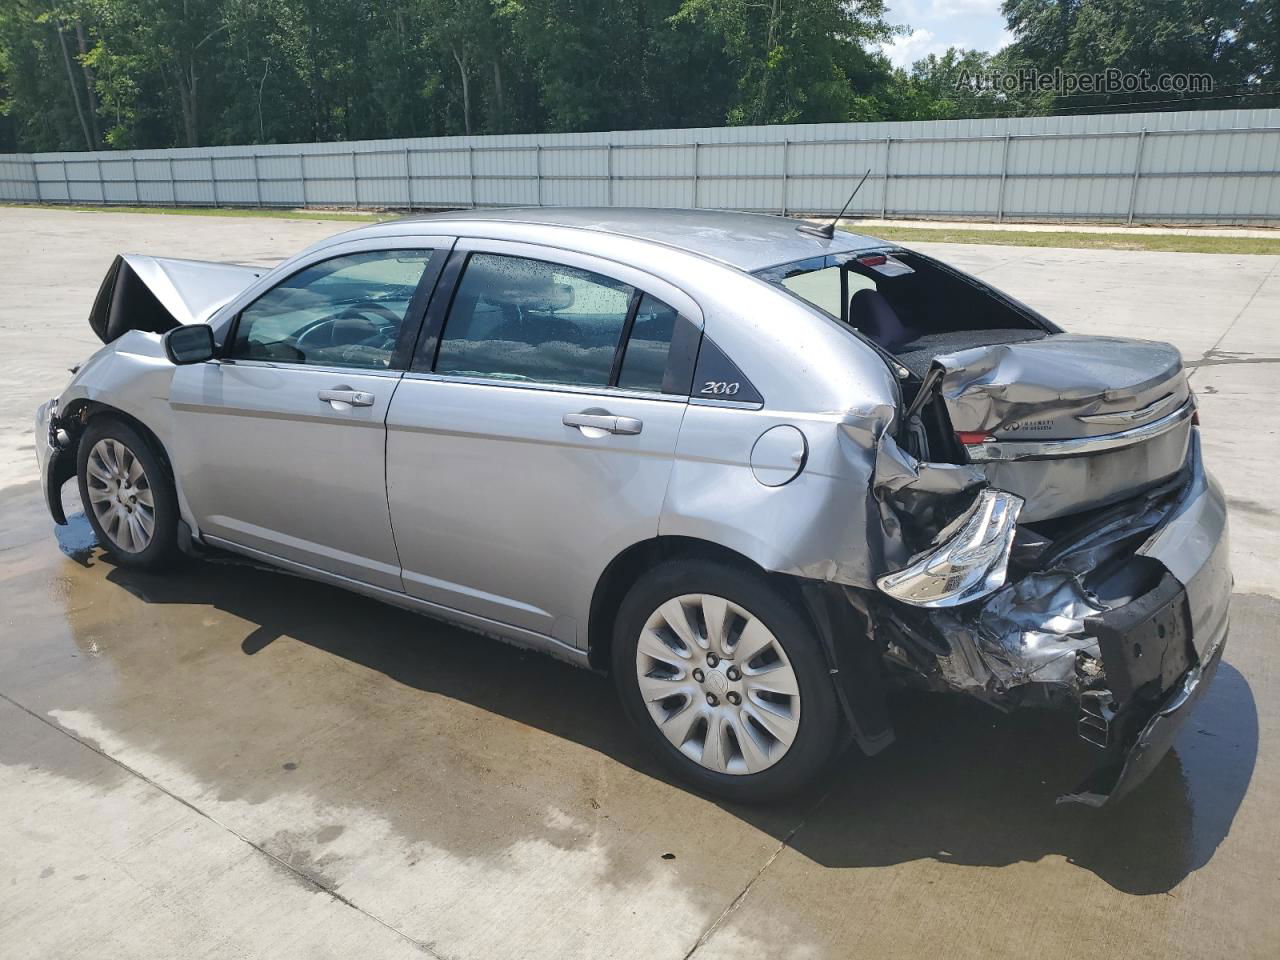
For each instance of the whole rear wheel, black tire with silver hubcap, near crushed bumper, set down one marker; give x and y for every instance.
(726, 680)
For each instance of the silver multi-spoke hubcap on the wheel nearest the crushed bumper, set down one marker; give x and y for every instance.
(719, 684)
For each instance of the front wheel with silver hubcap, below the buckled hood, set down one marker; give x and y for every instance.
(127, 495)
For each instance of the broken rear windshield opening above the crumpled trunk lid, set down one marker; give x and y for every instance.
(903, 301)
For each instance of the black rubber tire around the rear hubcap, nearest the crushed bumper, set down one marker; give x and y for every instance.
(820, 726)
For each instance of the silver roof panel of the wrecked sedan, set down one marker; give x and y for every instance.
(746, 241)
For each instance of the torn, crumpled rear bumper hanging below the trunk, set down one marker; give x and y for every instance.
(1122, 619)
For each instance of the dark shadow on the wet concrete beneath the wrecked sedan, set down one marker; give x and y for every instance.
(963, 784)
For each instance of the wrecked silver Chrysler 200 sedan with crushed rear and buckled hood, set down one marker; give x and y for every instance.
(760, 473)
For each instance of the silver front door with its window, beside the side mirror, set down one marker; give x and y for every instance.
(282, 444)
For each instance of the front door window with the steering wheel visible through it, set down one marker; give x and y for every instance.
(346, 312)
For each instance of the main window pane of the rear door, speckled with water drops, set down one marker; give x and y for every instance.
(529, 321)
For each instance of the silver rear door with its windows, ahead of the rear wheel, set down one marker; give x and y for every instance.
(533, 440)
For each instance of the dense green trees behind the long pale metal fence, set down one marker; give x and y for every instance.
(139, 74)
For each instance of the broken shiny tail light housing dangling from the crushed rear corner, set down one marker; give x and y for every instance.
(971, 560)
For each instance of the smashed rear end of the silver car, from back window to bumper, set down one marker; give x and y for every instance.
(1064, 546)
